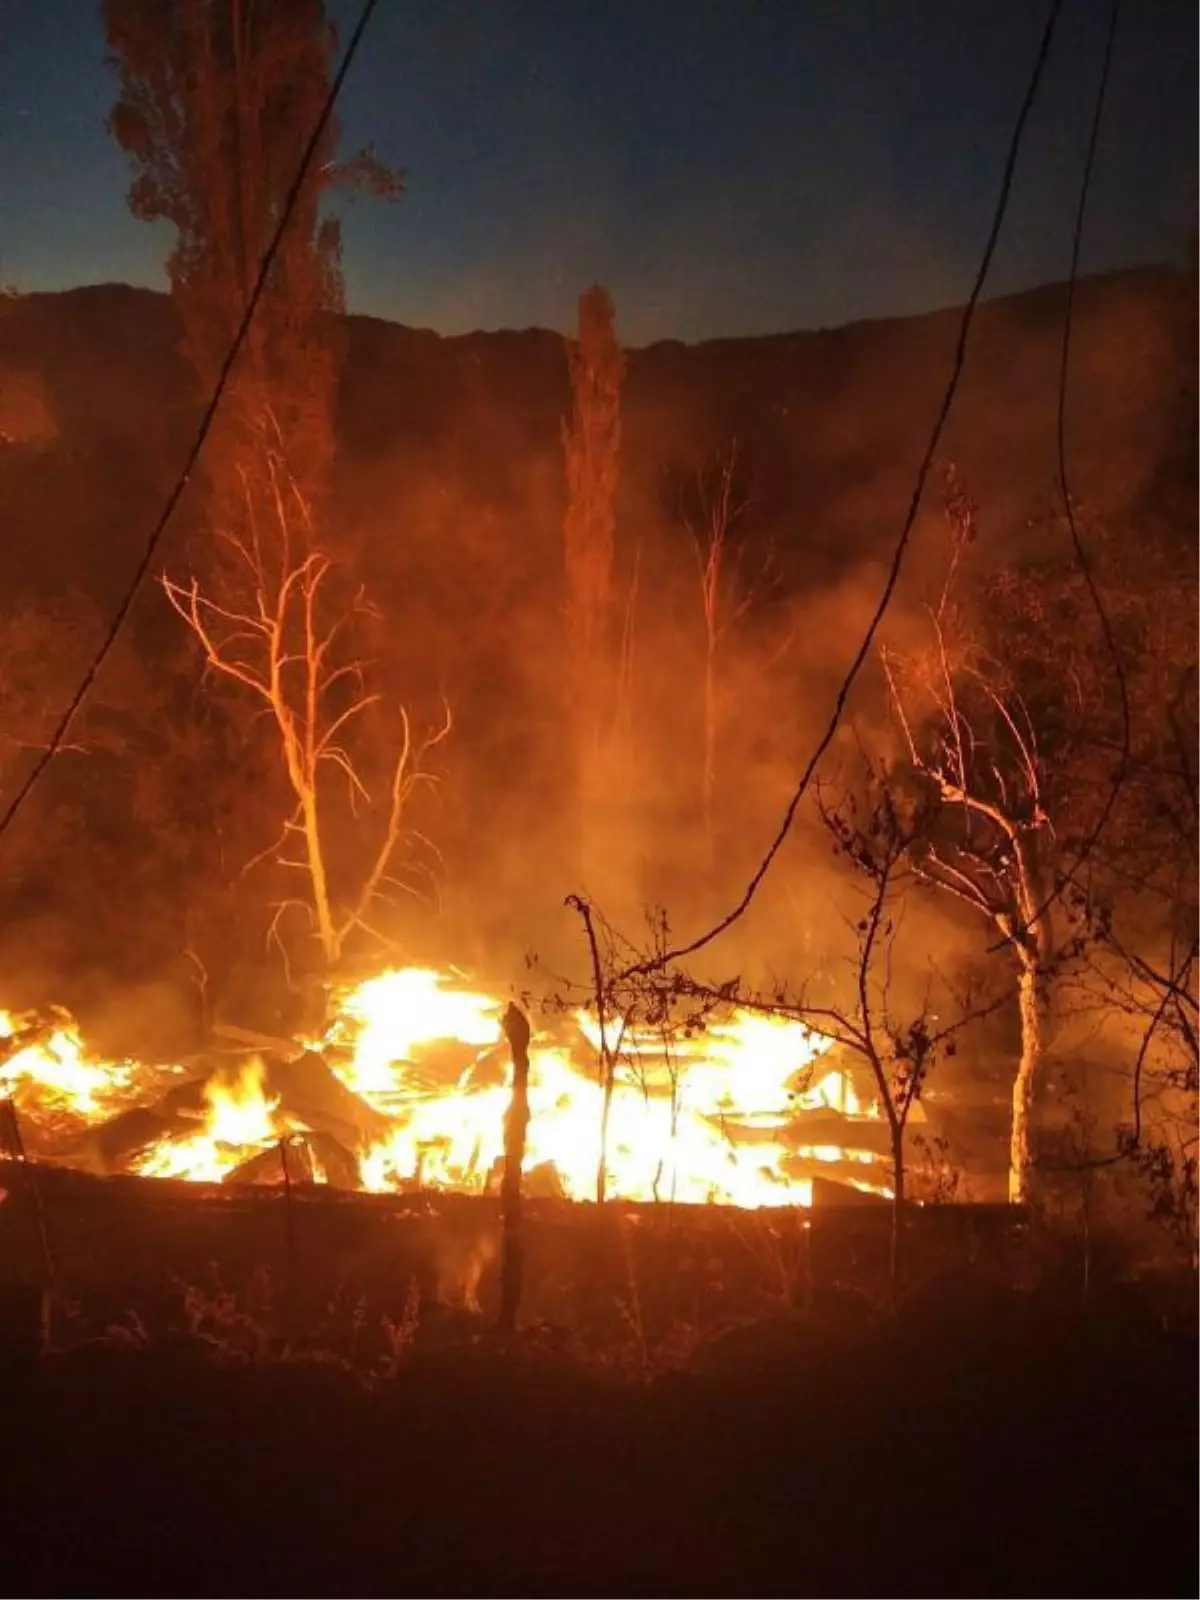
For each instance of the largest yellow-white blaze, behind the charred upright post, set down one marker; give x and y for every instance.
(695, 1121)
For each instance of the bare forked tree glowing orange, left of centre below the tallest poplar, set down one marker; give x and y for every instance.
(289, 647)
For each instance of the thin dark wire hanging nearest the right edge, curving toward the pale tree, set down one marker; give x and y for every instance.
(1122, 772)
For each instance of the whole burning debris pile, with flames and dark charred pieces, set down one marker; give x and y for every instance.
(410, 1086)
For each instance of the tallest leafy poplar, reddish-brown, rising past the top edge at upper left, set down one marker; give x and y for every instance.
(215, 108)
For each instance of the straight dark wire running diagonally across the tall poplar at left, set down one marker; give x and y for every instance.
(202, 433)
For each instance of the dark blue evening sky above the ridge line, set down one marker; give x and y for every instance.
(727, 167)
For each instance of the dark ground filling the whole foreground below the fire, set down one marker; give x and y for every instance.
(252, 1398)
